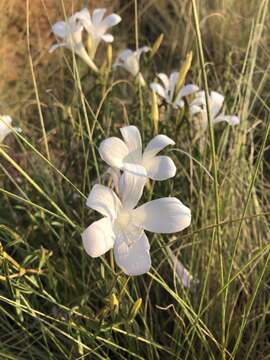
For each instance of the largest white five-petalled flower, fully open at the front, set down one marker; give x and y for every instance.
(123, 226)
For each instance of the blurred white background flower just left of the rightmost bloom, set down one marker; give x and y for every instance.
(167, 89)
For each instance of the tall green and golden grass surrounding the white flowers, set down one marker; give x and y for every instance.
(58, 303)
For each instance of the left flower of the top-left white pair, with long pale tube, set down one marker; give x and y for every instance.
(71, 34)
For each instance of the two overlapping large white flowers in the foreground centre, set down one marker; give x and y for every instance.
(123, 225)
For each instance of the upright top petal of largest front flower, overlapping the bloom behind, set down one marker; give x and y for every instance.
(131, 185)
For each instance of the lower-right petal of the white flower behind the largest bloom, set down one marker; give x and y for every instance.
(160, 167)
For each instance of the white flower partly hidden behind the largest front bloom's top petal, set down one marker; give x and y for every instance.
(120, 154)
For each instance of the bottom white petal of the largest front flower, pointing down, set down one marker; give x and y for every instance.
(132, 257)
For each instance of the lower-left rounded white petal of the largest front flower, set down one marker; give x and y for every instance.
(98, 238)
